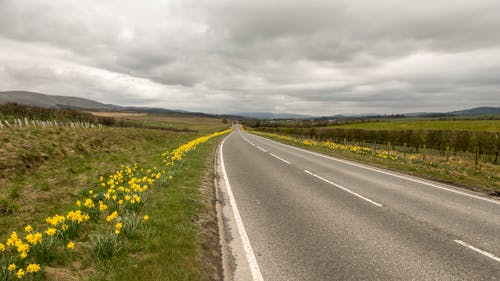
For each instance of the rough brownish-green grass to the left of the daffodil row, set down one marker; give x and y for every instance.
(45, 169)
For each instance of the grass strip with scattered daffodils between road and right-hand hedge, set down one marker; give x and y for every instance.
(459, 171)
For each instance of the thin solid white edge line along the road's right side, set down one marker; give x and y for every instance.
(450, 189)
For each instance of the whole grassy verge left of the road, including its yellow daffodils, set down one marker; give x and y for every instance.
(107, 203)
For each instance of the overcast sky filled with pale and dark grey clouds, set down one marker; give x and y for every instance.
(310, 57)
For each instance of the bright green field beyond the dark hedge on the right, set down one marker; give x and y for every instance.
(412, 124)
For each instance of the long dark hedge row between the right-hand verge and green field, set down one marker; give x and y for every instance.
(479, 146)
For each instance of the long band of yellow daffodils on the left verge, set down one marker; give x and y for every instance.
(114, 206)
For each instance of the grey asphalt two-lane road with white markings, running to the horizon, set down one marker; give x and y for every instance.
(312, 217)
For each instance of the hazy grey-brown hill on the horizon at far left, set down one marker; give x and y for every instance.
(42, 100)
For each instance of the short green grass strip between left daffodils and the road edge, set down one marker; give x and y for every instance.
(172, 248)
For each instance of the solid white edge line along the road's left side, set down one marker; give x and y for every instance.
(252, 261)
